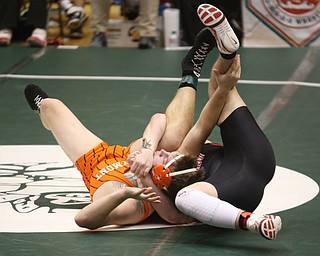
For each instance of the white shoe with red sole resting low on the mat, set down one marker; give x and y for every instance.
(267, 225)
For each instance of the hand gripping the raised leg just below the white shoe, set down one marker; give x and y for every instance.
(229, 79)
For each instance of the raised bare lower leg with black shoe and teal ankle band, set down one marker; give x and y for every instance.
(180, 112)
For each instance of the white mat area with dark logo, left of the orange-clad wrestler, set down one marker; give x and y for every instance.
(40, 190)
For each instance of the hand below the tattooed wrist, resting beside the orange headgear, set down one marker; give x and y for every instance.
(140, 162)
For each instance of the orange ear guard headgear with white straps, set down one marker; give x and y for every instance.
(162, 176)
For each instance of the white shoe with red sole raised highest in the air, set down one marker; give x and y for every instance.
(215, 20)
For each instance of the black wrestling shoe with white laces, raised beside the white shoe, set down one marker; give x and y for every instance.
(194, 60)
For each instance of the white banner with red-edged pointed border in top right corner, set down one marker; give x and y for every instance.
(296, 21)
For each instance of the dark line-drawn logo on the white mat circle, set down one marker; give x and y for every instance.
(30, 187)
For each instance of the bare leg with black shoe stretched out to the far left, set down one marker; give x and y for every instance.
(73, 137)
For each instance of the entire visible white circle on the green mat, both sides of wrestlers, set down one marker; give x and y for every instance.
(41, 191)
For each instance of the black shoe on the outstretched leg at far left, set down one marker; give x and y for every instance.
(34, 95)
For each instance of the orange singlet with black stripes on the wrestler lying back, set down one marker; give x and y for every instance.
(106, 163)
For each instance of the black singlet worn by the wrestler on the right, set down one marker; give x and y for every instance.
(244, 165)
